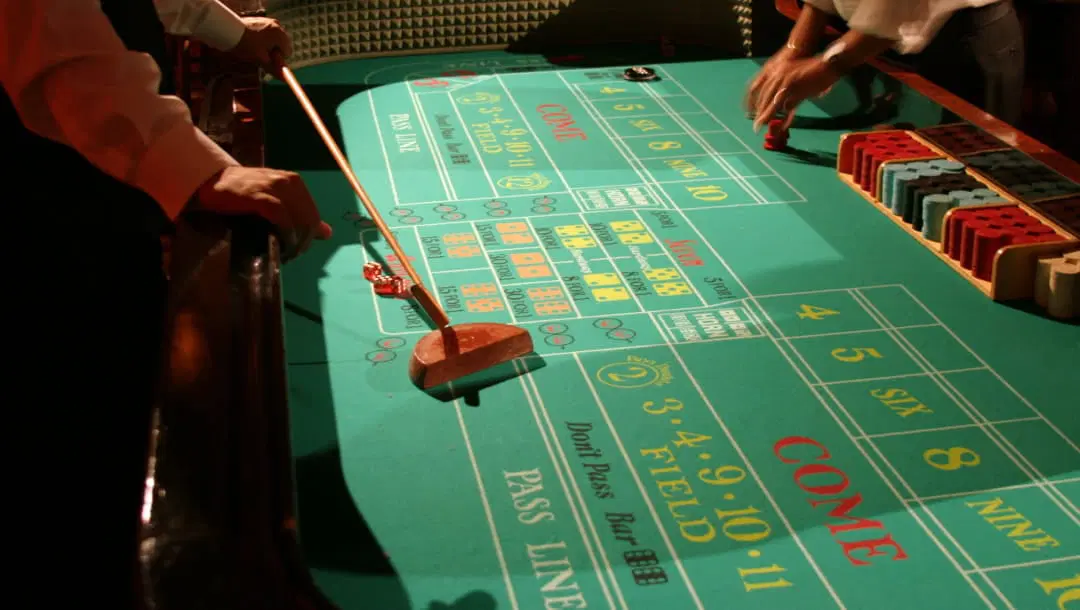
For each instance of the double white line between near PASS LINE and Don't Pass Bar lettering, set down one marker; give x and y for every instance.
(578, 507)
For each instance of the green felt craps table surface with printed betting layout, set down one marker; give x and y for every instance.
(751, 390)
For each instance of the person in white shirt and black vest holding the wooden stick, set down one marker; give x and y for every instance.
(99, 165)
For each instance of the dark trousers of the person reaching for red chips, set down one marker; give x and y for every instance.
(979, 57)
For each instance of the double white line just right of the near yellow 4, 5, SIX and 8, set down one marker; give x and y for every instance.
(977, 417)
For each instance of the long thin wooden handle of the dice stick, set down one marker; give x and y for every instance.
(420, 292)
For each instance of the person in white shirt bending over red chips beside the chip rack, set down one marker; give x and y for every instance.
(974, 49)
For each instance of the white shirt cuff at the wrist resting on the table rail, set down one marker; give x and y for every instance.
(178, 165)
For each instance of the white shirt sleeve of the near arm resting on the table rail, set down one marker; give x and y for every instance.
(72, 80)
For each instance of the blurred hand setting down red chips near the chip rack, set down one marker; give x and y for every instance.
(786, 89)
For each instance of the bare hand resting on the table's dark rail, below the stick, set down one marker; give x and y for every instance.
(274, 195)
